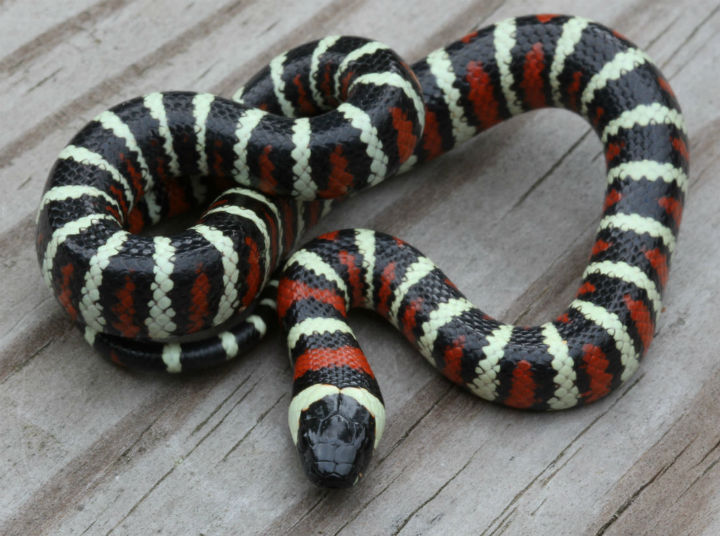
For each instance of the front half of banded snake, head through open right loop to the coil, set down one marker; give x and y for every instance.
(579, 357)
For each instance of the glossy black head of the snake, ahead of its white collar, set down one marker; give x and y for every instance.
(335, 439)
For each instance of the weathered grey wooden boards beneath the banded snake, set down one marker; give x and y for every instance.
(87, 448)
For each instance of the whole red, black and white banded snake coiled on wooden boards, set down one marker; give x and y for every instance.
(321, 122)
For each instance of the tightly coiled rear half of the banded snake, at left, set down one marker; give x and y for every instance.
(163, 154)
